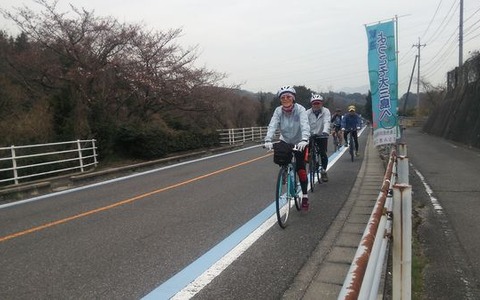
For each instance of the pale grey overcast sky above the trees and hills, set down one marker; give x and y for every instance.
(265, 44)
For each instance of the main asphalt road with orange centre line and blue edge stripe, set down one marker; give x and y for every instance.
(128, 237)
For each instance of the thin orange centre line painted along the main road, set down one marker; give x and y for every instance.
(123, 202)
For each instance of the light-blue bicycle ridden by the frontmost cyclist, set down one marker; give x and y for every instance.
(287, 190)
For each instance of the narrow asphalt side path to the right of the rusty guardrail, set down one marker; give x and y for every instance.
(446, 192)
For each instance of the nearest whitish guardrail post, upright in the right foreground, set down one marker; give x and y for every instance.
(402, 242)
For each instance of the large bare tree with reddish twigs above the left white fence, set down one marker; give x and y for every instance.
(99, 74)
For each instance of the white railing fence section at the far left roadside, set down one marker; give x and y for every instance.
(28, 161)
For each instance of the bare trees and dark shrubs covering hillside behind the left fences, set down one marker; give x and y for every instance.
(74, 75)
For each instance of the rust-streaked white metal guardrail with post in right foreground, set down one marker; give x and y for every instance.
(391, 217)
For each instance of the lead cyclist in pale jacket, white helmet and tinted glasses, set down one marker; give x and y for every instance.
(292, 121)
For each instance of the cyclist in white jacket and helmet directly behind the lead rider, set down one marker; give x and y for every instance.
(319, 120)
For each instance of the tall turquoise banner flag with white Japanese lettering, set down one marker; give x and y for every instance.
(383, 75)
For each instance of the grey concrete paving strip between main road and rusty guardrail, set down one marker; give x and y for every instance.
(323, 275)
